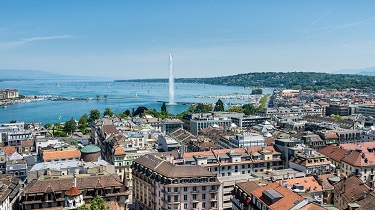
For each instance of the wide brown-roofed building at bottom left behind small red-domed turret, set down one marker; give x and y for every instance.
(52, 191)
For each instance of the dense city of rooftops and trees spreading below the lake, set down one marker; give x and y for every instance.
(296, 148)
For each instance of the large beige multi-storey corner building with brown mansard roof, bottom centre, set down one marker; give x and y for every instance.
(159, 184)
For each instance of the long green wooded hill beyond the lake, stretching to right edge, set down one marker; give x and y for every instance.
(305, 80)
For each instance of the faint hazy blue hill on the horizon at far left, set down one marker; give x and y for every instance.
(6, 75)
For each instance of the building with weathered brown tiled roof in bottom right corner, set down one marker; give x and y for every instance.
(349, 191)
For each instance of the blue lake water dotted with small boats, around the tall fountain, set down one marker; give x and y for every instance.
(120, 96)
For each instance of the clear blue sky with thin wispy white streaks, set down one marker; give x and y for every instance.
(133, 38)
